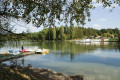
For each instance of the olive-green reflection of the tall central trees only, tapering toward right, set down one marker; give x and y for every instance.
(65, 48)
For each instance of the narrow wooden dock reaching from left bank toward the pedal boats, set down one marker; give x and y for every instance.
(9, 57)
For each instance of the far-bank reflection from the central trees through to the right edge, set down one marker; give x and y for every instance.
(72, 49)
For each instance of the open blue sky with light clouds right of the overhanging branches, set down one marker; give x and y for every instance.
(103, 18)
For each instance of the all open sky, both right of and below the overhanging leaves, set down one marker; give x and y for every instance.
(100, 18)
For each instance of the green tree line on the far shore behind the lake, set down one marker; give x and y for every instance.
(68, 33)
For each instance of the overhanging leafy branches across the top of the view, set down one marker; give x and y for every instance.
(46, 11)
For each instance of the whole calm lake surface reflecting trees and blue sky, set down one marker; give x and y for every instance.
(96, 61)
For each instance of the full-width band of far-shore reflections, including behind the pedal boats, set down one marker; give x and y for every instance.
(65, 48)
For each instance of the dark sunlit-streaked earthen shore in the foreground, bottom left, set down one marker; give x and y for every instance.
(30, 73)
